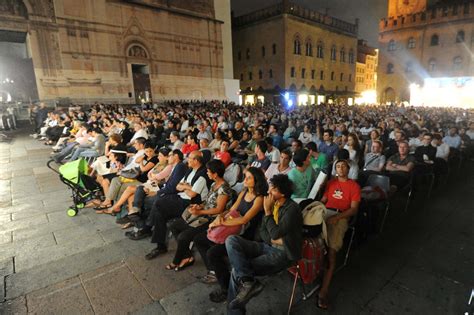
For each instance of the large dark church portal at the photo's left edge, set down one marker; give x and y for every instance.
(17, 76)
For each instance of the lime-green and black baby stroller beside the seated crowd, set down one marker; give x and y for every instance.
(84, 187)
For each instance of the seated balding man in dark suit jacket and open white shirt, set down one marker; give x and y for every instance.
(193, 188)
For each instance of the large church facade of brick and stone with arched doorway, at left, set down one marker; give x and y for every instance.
(117, 51)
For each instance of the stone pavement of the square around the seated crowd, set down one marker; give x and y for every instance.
(54, 264)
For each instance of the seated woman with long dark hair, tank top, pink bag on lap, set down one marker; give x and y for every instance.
(249, 204)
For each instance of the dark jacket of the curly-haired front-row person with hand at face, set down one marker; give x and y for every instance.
(289, 228)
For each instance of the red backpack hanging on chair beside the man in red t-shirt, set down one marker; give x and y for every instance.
(313, 259)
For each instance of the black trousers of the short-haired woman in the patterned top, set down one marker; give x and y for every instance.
(184, 235)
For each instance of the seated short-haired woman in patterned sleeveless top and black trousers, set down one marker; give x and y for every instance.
(198, 221)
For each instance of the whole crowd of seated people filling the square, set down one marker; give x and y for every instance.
(195, 167)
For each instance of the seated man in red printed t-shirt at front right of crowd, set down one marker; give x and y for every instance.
(342, 198)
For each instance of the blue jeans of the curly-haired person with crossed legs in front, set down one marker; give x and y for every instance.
(249, 259)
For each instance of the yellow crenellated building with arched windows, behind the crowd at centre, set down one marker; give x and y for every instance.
(289, 53)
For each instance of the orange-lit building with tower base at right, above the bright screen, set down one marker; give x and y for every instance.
(422, 40)
